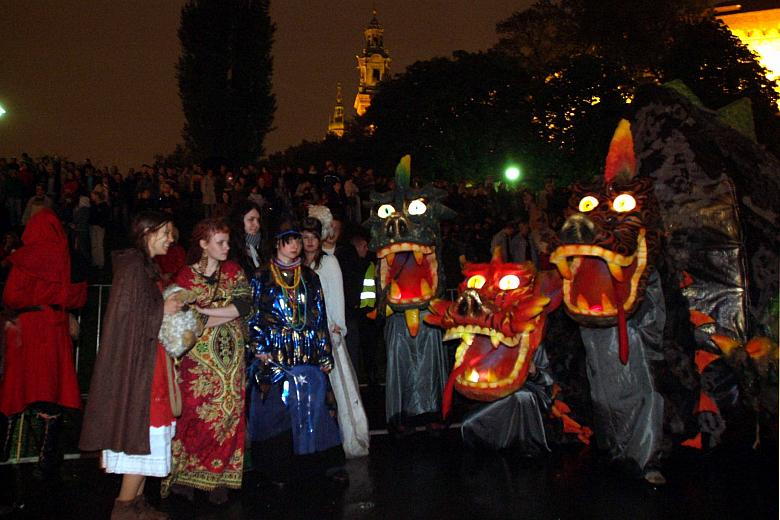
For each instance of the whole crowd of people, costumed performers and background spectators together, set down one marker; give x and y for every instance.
(273, 264)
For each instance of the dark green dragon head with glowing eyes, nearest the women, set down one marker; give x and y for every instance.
(405, 234)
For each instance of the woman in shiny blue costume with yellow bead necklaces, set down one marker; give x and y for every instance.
(290, 421)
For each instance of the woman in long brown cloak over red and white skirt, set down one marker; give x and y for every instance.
(130, 413)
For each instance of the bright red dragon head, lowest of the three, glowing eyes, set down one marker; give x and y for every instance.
(499, 316)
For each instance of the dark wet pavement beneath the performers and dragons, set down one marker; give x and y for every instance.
(429, 477)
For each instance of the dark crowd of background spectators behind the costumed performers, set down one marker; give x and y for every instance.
(96, 204)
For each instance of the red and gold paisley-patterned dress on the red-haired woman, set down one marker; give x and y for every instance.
(208, 450)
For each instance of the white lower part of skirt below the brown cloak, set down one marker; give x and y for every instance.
(155, 464)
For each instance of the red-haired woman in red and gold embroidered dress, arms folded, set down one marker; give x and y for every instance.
(208, 450)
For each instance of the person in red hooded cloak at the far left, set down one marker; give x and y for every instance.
(39, 371)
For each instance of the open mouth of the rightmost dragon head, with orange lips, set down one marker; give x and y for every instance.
(596, 280)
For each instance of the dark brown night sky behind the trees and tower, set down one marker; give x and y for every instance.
(96, 78)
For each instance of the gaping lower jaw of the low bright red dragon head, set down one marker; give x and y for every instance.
(486, 372)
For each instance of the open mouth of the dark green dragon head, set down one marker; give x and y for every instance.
(411, 272)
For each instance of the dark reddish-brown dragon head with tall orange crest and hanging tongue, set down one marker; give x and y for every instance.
(608, 245)
